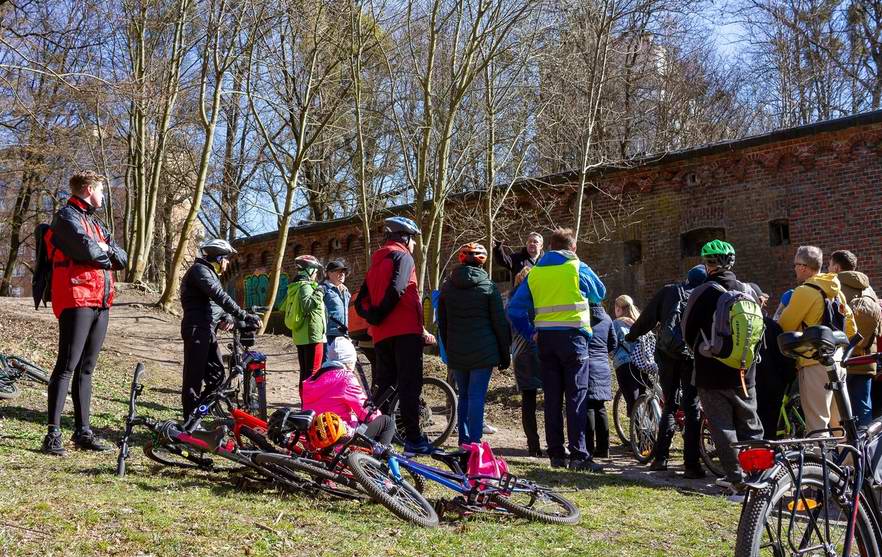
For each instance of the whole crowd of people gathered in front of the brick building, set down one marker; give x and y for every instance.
(713, 335)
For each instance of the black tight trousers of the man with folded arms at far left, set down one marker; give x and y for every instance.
(81, 334)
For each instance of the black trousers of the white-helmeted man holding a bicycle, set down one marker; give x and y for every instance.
(203, 366)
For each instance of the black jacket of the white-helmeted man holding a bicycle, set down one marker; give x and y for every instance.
(204, 299)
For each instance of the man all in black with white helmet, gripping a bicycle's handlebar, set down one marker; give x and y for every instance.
(207, 307)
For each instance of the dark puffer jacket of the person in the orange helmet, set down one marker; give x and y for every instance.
(471, 321)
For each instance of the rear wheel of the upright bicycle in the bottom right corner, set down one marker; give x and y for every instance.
(818, 525)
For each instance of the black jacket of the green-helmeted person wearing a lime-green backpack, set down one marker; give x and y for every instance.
(711, 373)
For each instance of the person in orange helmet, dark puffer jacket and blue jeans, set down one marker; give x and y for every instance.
(475, 333)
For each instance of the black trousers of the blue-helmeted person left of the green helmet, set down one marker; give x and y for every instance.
(675, 374)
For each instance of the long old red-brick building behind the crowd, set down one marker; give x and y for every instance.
(818, 184)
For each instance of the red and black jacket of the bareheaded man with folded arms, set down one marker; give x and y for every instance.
(81, 270)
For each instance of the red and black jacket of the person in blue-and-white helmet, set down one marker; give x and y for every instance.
(388, 299)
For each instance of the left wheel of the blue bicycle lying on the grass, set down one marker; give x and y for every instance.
(402, 499)
